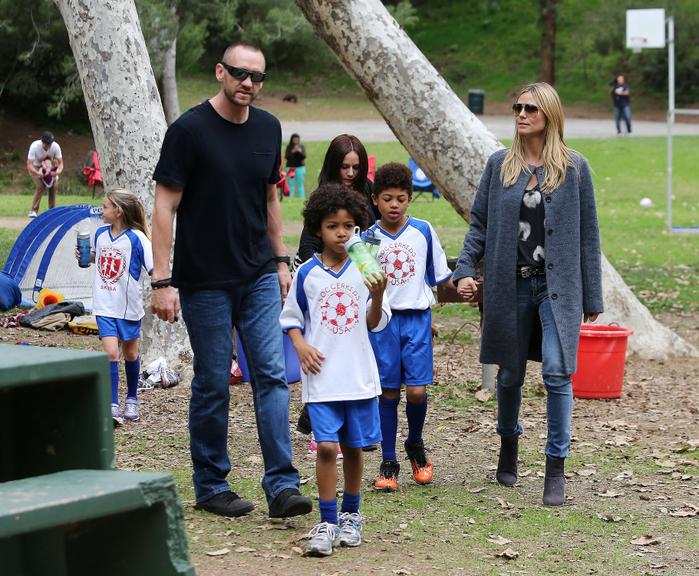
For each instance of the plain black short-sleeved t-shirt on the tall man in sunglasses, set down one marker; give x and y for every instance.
(224, 169)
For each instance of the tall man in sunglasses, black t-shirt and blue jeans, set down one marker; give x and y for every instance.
(217, 172)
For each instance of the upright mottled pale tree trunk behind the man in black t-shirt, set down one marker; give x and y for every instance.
(126, 117)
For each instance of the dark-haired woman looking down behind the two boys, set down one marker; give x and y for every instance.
(346, 162)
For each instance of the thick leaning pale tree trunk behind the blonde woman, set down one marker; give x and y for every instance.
(443, 136)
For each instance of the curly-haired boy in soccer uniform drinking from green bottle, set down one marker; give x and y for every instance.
(327, 314)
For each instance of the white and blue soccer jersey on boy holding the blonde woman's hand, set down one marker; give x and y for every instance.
(414, 261)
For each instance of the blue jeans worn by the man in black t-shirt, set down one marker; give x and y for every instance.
(210, 315)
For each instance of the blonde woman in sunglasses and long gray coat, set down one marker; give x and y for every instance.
(534, 222)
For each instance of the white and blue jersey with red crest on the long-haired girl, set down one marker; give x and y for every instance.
(117, 290)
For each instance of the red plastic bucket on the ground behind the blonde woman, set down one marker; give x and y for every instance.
(601, 359)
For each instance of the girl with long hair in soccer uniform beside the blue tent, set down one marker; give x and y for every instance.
(122, 249)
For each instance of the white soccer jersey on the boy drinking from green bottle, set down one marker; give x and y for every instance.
(330, 308)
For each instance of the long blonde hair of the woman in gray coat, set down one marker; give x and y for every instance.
(557, 156)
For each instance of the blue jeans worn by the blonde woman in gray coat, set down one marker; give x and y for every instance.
(533, 305)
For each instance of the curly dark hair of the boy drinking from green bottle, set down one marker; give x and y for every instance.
(328, 199)
